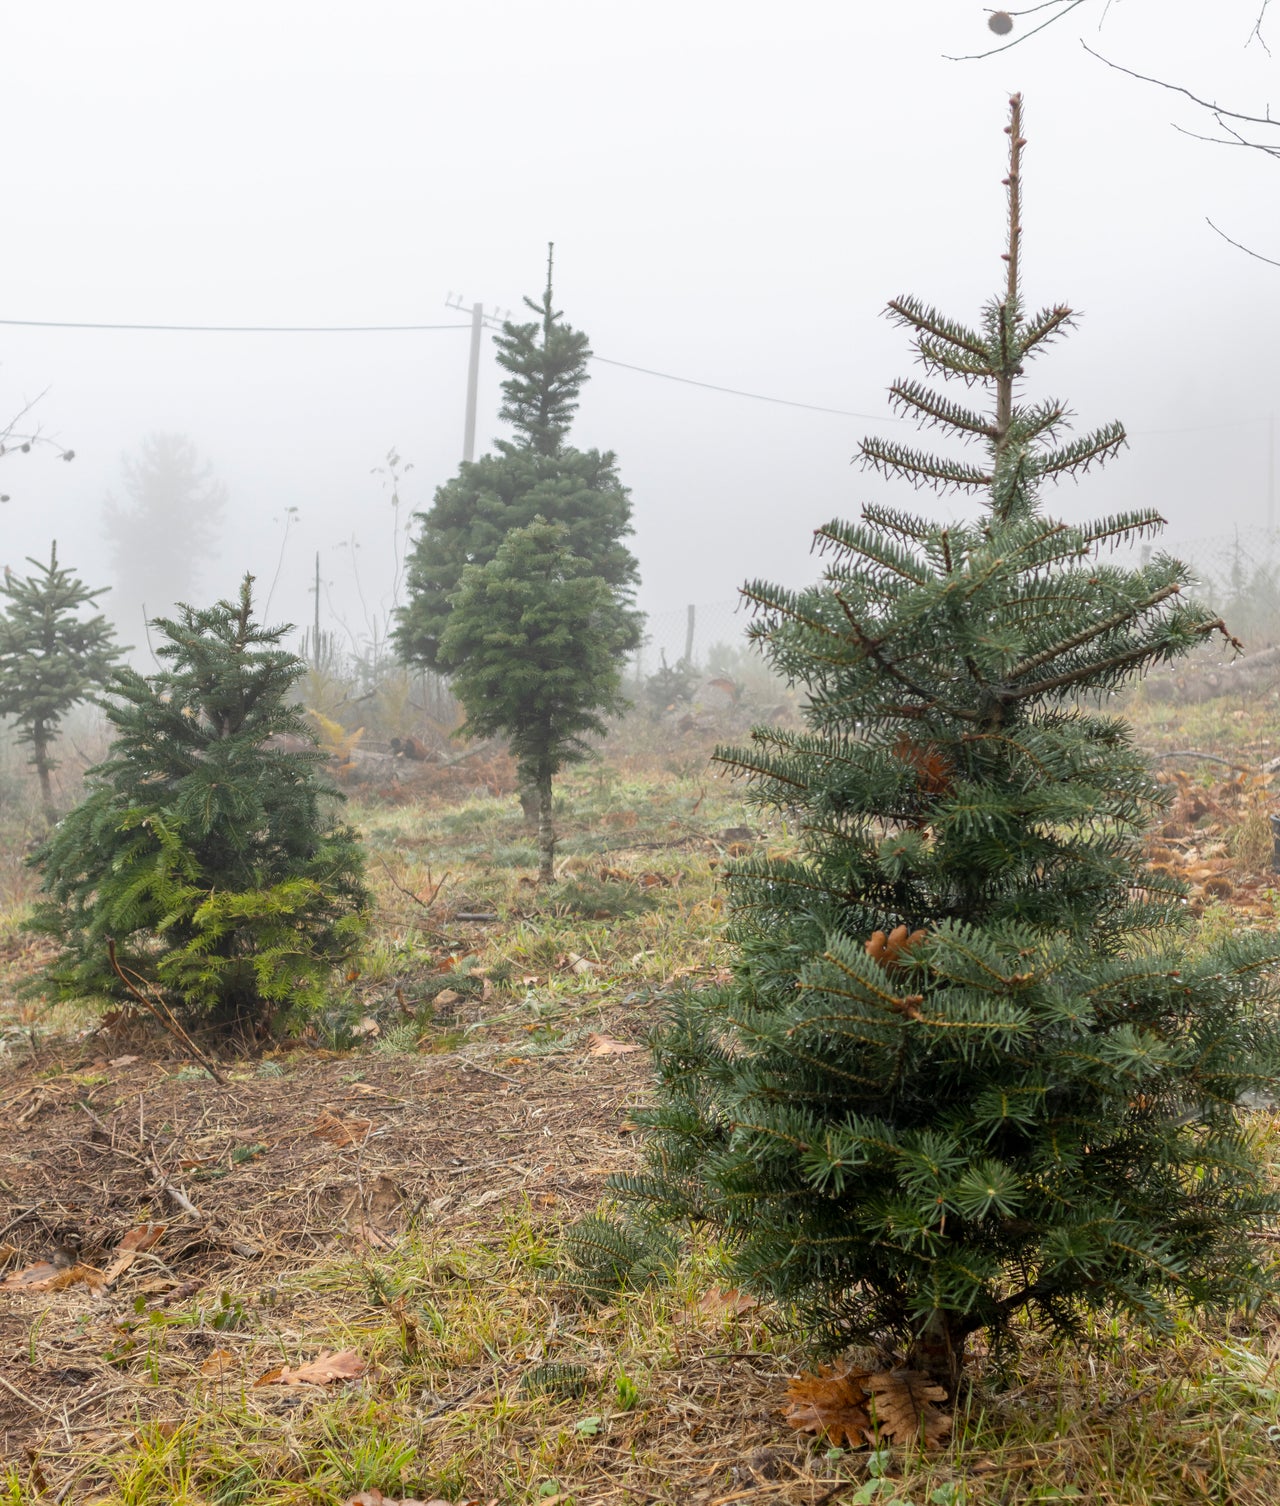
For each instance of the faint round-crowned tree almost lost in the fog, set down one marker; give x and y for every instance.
(163, 529)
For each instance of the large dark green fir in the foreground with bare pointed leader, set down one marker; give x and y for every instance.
(969, 1067)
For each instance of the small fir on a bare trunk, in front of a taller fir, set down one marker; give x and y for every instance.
(538, 641)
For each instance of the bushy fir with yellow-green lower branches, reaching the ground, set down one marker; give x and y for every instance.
(204, 847)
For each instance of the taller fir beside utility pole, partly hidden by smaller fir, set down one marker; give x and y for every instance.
(538, 475)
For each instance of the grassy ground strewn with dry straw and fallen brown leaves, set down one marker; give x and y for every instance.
(337, 1276)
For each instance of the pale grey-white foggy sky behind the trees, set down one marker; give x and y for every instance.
(734, 192)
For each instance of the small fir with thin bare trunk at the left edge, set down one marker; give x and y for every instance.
(52, 657)
